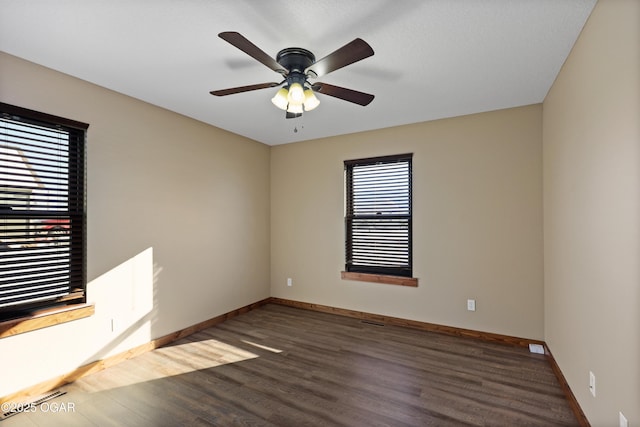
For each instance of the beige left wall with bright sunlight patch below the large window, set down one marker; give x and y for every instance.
(178, 223)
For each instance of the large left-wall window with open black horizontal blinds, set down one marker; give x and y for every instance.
(42, 211)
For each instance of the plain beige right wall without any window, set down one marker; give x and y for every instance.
(591, 150)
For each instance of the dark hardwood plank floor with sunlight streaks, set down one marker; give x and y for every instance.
(283, 366)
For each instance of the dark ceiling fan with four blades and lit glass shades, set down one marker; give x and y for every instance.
(297, 66)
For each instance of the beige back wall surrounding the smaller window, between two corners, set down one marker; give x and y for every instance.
(477, 198)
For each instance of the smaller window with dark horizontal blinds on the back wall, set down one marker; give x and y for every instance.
(378, 215)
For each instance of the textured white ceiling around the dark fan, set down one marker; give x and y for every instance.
(433, 58)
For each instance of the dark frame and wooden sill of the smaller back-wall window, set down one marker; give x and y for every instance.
(391, 274)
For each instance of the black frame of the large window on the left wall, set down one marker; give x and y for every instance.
(75, 194)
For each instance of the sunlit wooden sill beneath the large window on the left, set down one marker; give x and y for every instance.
(45, 318)
